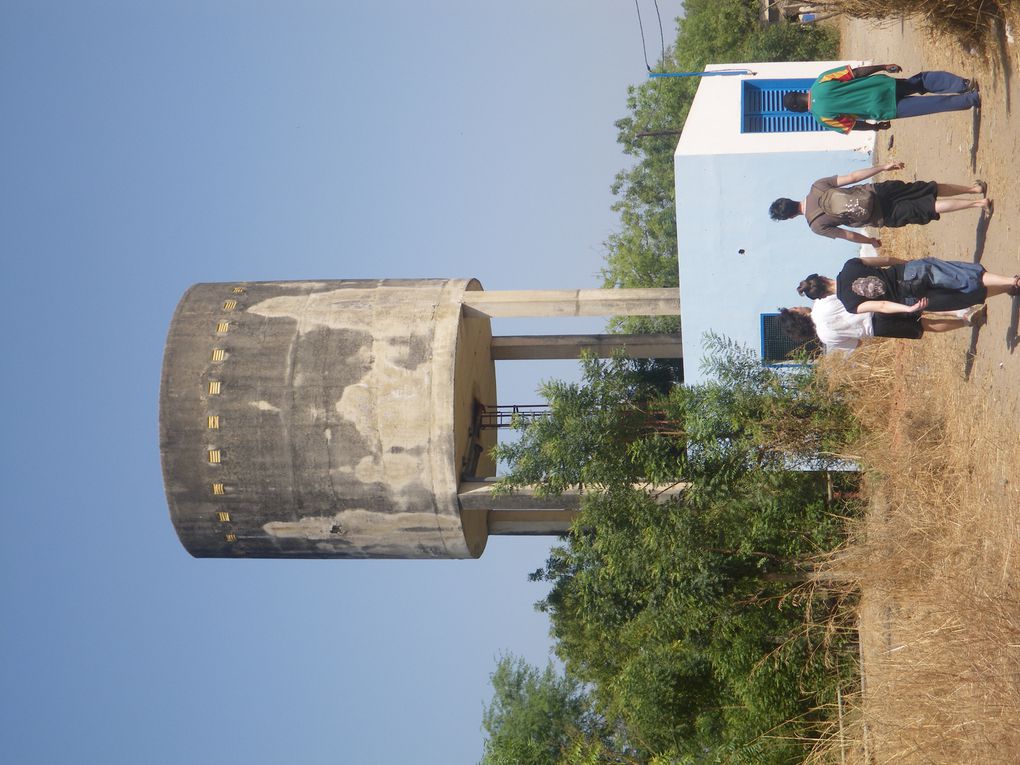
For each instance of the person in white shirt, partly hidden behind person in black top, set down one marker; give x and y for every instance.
(840, 331)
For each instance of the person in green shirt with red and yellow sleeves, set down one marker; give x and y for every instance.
(847, 98)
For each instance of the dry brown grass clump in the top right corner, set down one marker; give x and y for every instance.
(971, 22)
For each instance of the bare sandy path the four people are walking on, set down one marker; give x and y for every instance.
(958, 148)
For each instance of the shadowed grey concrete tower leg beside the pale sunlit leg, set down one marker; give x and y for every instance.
(522, 347)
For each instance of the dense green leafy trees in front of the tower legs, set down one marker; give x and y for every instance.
(683, 618)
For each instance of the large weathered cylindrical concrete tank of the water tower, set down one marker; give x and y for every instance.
(326, 420)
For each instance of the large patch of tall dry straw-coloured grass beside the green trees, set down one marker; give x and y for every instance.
(934, 562)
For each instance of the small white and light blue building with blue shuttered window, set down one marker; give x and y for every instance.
(739, 151)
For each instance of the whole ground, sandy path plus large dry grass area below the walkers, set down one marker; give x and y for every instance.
(938, 559)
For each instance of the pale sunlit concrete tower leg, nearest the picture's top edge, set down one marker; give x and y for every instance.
(517, 303)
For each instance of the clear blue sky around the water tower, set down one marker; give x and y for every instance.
(146, 146)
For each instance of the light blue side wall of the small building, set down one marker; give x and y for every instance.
(723, 207)
